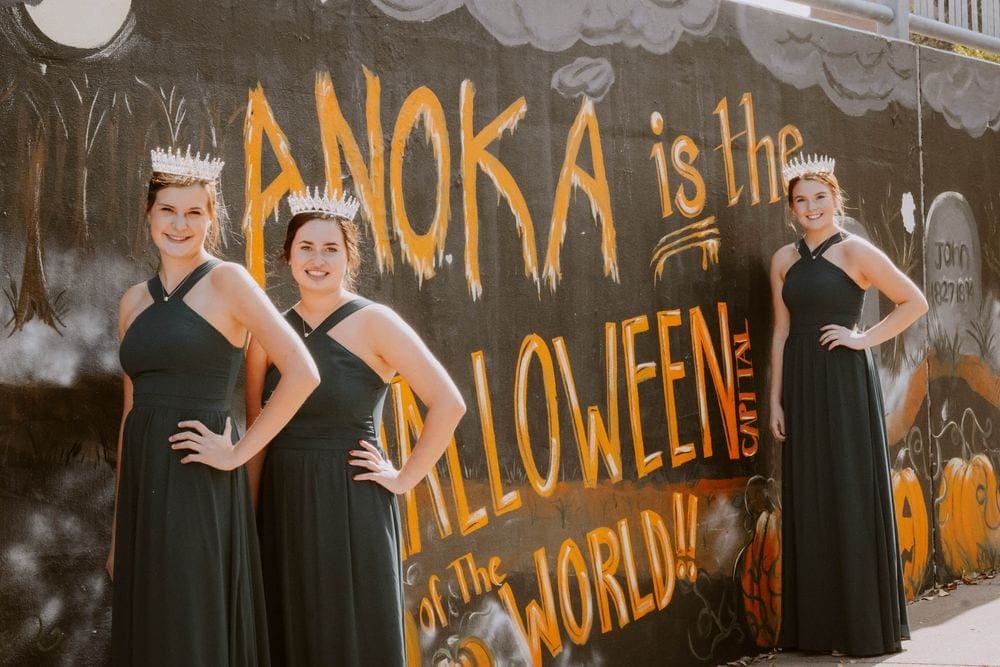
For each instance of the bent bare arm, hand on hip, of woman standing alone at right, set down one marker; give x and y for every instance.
(878, 270)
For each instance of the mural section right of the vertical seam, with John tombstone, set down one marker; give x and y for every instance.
(963, 358)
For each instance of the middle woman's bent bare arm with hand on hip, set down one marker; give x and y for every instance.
(401, 348)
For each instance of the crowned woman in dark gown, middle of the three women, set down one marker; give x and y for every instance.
(328, 520)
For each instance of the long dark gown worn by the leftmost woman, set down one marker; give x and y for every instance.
(187, 586)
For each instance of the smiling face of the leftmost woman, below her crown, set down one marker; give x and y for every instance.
(180, 218)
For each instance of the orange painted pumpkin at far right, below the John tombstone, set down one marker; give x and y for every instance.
(968, 514)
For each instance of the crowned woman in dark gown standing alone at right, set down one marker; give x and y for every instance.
(842, 586)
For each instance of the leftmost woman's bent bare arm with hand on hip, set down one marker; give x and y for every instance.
(299, 377)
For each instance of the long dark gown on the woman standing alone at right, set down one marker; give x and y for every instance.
(841, 577)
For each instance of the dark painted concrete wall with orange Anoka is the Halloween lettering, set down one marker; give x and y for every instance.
(575, 205)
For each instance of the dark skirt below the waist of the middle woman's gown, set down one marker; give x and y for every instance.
(331, 555)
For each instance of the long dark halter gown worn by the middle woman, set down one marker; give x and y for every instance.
(330, 545)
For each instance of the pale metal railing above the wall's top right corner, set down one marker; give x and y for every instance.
(974, 23)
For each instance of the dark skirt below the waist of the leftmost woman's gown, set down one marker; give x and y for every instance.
(187, 583)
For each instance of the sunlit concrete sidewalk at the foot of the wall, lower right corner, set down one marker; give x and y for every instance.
(960, 629)
